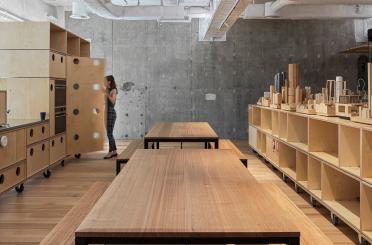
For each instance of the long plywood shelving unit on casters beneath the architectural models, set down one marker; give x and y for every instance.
(329, 158)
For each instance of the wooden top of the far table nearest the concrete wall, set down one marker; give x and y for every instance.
(185, 130)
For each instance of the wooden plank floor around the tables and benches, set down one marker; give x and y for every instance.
(26, 218)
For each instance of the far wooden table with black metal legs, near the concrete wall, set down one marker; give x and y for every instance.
(181, 132)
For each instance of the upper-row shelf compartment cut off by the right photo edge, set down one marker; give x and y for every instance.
(367, 155)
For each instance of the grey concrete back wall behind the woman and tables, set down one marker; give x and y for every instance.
(164, 72)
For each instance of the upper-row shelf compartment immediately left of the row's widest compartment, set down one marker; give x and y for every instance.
(298, 131)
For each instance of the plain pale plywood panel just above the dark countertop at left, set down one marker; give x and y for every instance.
(22, 103)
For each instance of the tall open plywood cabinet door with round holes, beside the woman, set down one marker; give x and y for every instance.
(85, 105)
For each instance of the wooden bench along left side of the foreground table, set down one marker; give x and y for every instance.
(64, 231)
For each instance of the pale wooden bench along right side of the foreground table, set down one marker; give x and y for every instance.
(310, 233)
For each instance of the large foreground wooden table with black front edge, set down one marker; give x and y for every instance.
(190, 196)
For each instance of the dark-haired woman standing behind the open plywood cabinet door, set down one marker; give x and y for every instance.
(110, 91)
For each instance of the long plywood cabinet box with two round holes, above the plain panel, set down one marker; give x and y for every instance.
(32, 63)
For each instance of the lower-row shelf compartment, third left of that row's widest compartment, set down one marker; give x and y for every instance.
(287, 160)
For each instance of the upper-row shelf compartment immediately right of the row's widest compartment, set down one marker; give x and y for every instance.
(349, 149)
